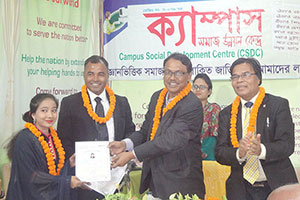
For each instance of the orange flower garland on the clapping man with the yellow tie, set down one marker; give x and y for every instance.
(252, 120)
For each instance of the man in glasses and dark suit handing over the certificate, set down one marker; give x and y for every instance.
(169, 140)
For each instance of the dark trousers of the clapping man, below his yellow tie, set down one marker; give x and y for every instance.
(257, 191)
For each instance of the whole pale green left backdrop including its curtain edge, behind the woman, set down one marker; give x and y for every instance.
(43, 46)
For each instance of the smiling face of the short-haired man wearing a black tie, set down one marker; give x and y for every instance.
(95, 77)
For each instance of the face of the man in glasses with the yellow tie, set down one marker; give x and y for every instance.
(246, 87)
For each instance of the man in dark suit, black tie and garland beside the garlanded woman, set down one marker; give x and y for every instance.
(76, 123)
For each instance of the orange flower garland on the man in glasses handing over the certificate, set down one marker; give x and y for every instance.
(160, 102)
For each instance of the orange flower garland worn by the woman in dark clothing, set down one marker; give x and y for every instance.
(49, 156)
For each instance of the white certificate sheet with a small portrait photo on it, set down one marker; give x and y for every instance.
(92, 161)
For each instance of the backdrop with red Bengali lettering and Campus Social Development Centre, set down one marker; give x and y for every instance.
(139, 35)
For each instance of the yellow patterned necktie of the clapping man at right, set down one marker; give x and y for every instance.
(250, 169)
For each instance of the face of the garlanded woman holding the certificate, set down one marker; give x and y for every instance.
(45, 115)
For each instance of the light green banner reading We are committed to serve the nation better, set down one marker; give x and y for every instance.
(52, 49)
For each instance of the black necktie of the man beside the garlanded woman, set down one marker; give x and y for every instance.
(101, 128)
